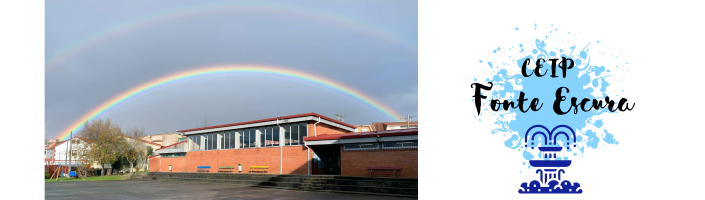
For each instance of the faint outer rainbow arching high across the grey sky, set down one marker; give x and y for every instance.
(193, 10)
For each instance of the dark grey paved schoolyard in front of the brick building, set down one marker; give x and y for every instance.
(173, 190)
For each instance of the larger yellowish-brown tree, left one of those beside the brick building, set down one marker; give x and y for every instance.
(106, 141)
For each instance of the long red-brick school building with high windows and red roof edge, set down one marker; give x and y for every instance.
(305, 144)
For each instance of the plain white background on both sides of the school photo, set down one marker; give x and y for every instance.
(659, 155)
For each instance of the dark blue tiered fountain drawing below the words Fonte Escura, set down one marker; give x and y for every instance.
(550, 144)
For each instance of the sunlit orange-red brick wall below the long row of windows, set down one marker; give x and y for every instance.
(294, 160)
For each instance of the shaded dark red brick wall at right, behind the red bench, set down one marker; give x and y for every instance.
(355, 163)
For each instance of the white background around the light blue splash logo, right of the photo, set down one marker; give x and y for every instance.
(659, 154)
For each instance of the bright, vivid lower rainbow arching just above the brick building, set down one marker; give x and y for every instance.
(228, 69)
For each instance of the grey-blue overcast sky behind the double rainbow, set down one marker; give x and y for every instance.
(367, 45)
